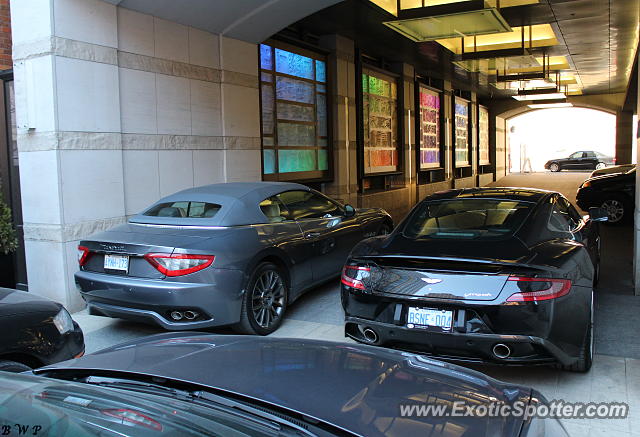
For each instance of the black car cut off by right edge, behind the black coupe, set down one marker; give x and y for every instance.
(613, 192)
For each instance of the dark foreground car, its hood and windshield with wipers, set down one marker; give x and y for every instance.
(184, 384)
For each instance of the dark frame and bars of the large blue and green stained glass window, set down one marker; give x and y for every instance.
(300, 176)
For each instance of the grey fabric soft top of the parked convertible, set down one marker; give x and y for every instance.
(239, 203)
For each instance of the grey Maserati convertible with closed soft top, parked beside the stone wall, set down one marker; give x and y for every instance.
(224, 254)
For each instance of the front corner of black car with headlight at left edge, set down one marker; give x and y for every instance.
(35, 332)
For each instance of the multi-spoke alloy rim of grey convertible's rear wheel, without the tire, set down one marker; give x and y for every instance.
(268, 299)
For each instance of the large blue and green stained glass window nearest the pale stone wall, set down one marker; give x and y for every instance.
(294, 115)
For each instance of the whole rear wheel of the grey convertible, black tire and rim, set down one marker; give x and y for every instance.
(272, 297)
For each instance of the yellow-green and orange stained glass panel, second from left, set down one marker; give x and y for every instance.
(380, 107)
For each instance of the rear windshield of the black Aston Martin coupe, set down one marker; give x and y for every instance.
(467, 218)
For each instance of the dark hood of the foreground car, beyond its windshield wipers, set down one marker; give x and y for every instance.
(355, 387)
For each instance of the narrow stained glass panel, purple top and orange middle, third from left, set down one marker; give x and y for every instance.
(429, 129)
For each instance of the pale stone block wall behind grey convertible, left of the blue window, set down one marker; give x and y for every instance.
(115, 109)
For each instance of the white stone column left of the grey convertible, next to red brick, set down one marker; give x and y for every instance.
(69, 133)
